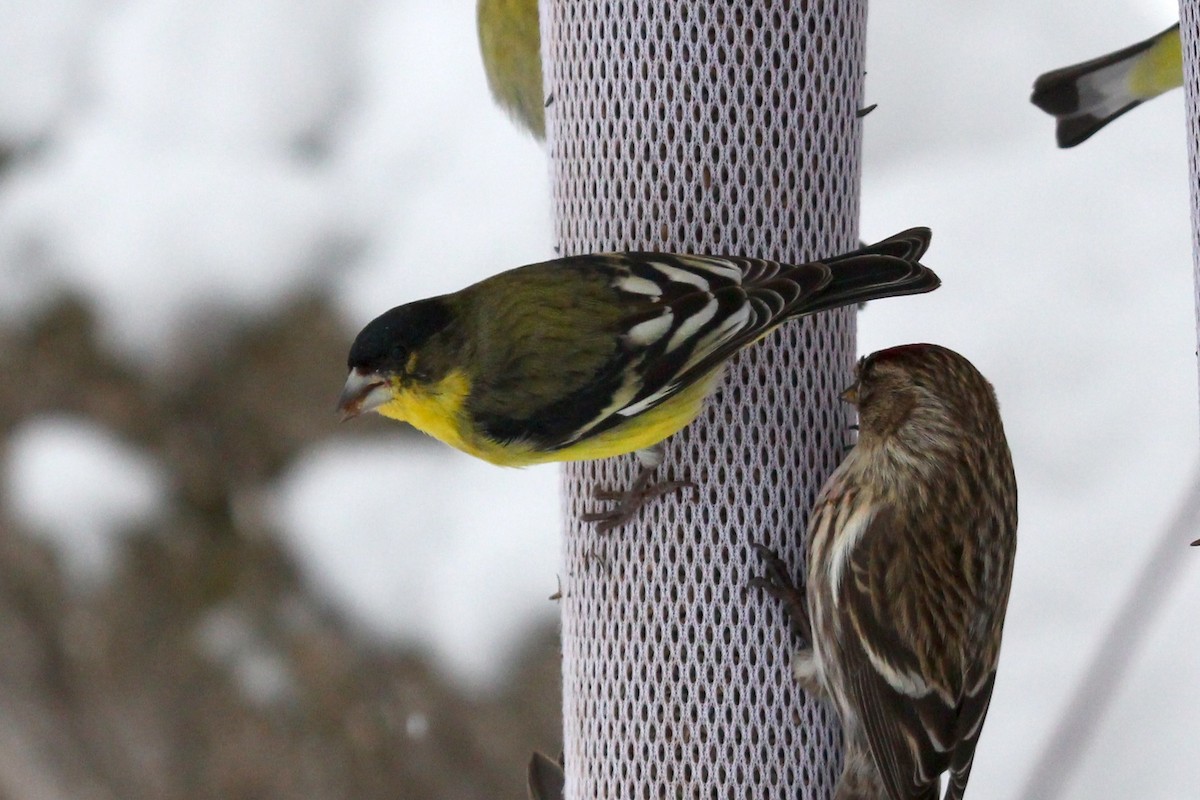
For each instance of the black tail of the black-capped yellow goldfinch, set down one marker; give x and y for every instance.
(886, 269)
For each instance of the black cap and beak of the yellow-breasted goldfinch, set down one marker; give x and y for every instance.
(385, 351)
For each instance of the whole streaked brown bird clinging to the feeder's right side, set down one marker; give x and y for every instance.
(911, 550)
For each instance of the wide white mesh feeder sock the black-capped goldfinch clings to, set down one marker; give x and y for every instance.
(722, 127)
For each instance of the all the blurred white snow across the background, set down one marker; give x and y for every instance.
(190, 169)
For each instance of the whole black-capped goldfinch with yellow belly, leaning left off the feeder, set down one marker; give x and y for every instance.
(592, 357)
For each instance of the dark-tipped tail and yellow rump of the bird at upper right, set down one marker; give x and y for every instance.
(1088, 97)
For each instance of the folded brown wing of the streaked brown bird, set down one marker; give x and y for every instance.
(921, 694)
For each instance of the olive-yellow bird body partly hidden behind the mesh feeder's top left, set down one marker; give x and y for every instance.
(511, 43)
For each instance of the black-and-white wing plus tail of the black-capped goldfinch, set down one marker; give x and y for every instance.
(743, 300)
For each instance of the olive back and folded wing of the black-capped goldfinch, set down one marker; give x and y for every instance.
(643, 327)
